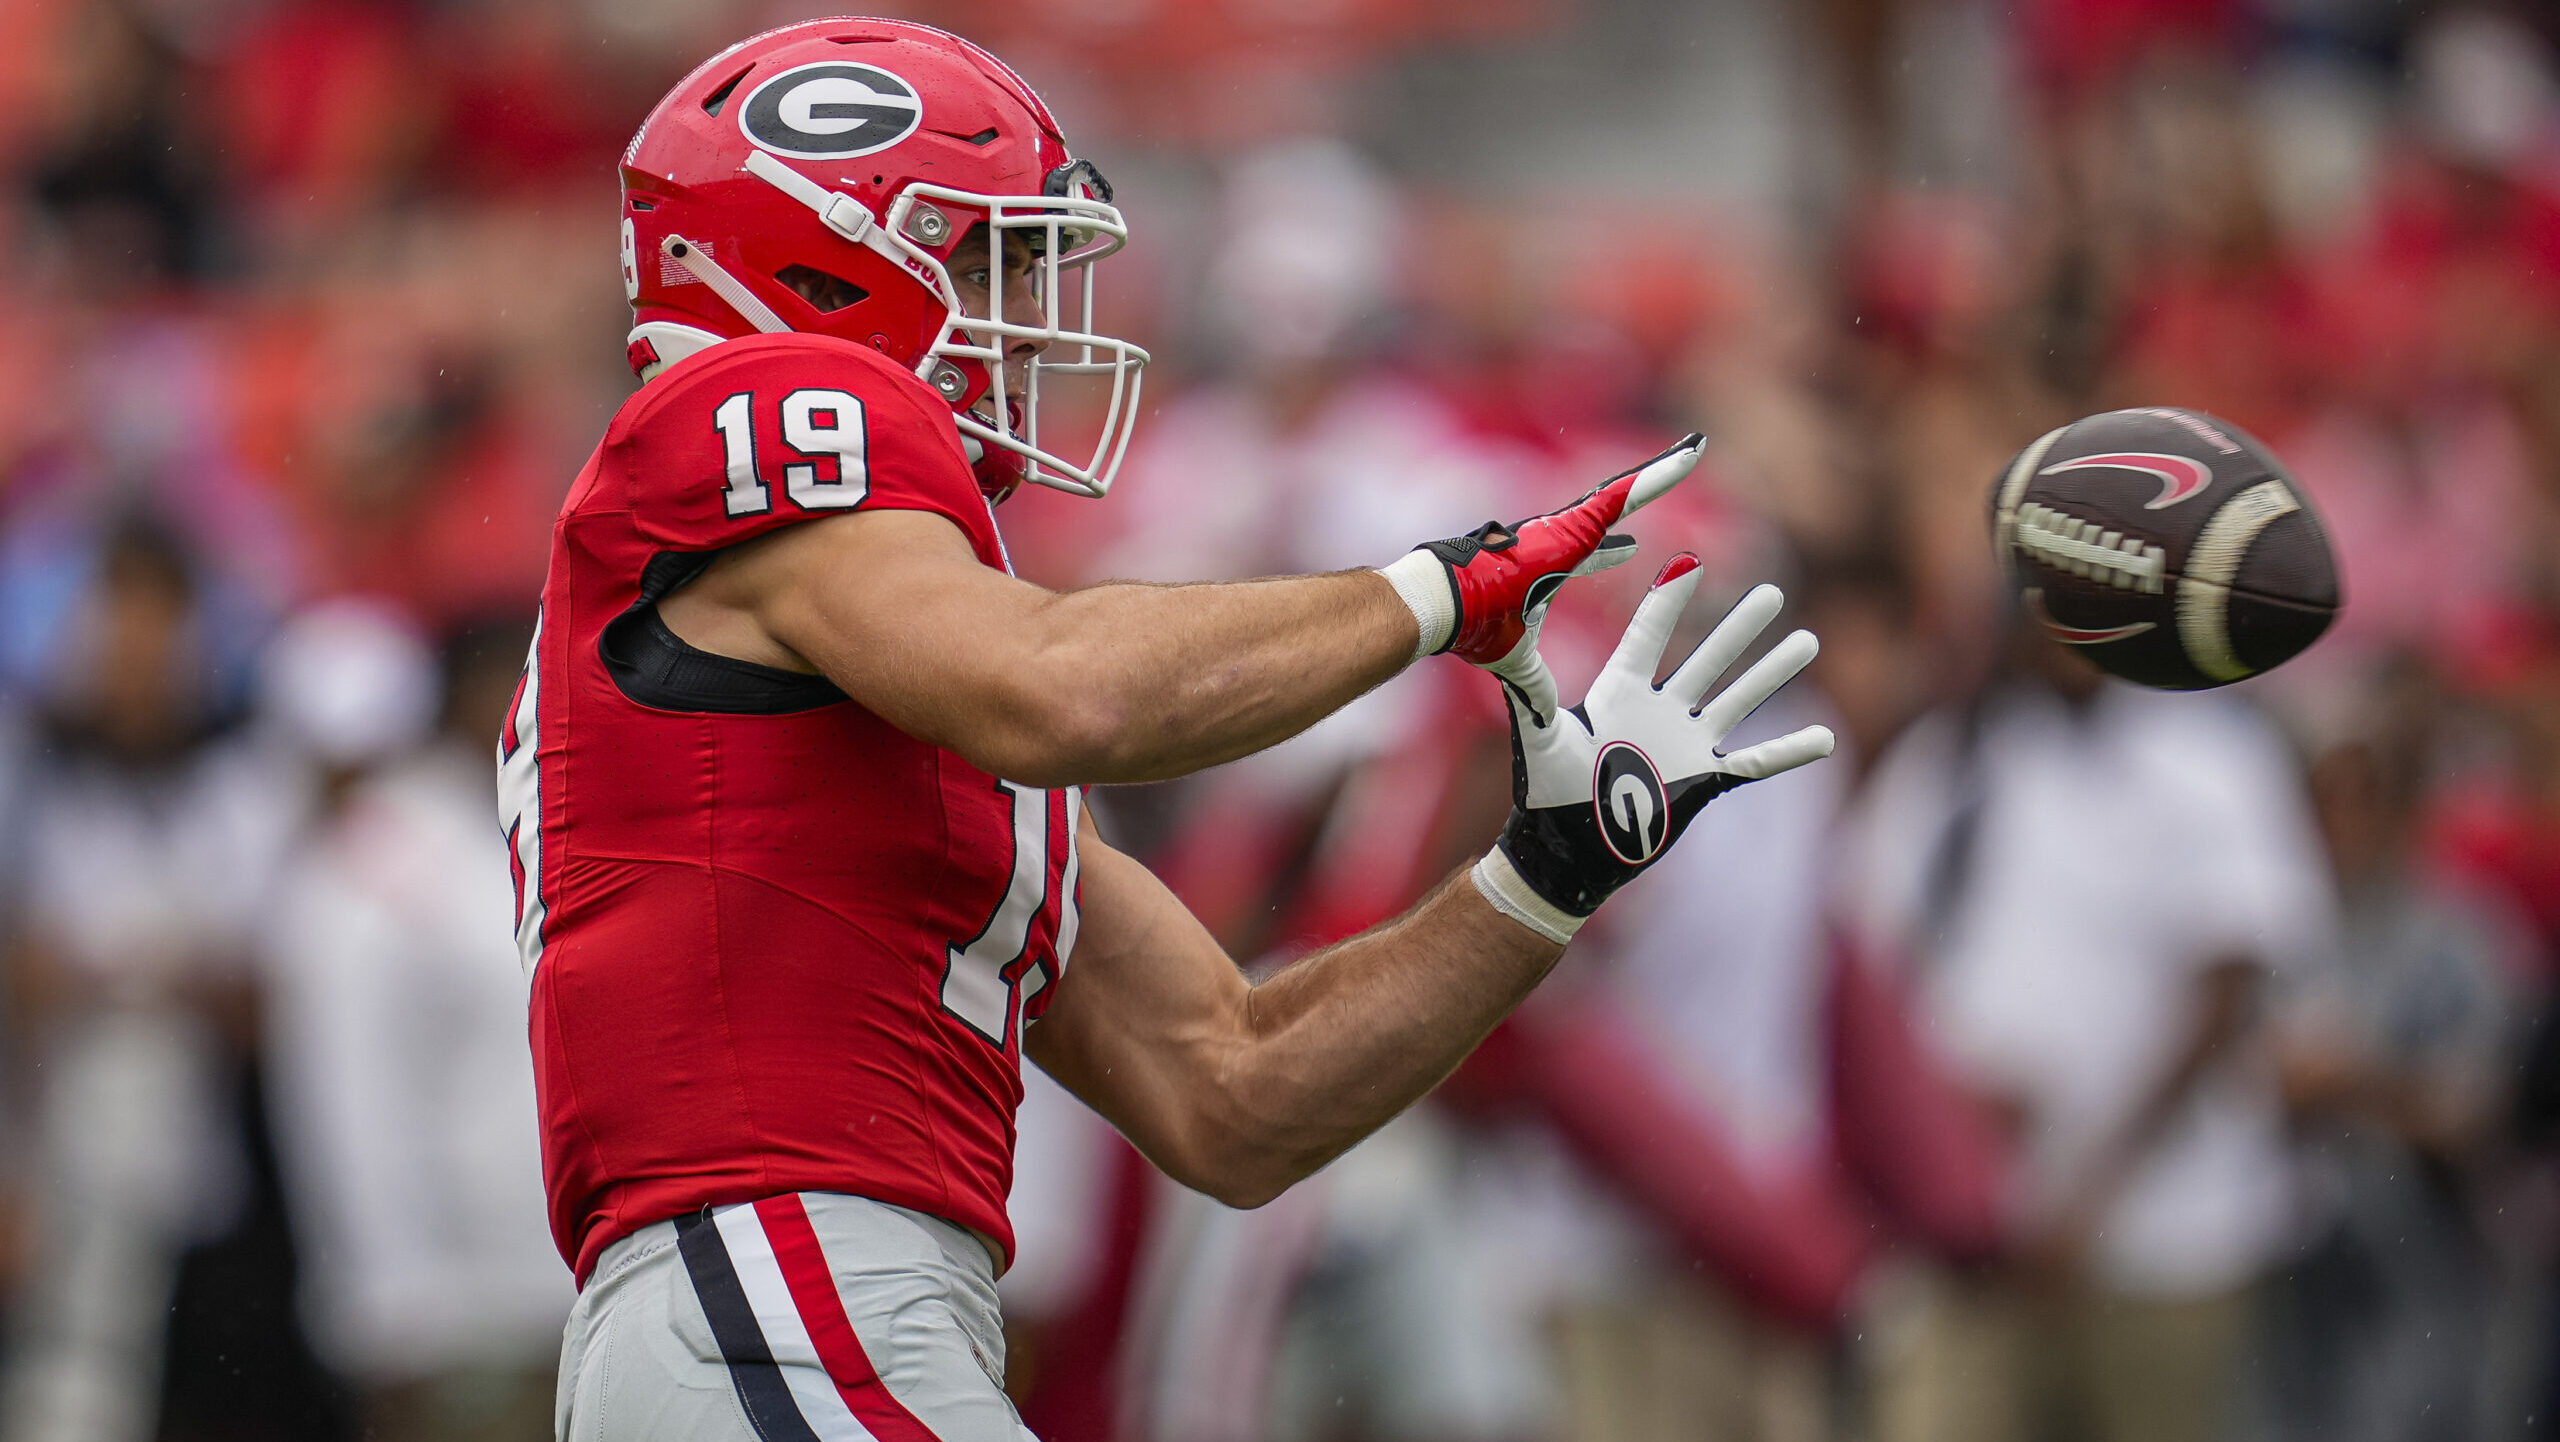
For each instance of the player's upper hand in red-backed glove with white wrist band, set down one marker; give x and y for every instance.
(1484, 595)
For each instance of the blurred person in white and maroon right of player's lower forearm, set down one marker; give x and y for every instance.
(1763, 1103)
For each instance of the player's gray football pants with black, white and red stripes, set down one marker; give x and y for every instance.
(803, 1318)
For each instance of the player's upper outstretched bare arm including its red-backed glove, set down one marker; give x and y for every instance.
(1130, 683)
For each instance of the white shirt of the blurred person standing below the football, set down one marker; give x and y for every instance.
(2121, 854)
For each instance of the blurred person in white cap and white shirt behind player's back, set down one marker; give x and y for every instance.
(396, 1044)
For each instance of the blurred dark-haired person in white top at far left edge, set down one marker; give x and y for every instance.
(150, 847)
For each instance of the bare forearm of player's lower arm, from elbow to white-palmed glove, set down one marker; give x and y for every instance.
(1348, 1039)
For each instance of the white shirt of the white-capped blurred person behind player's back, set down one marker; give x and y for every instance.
(403, 1090)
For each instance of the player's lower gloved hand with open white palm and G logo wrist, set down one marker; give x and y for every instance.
(1604, 790)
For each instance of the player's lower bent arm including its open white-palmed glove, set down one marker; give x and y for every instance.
(1243, 1090)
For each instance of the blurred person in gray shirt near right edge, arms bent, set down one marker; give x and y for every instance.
(2397, 1069)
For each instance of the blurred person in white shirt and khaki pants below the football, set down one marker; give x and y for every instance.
(2108, 895)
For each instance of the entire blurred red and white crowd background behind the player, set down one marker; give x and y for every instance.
(2060, 1062)
